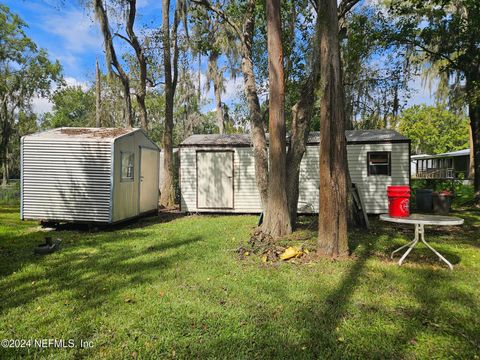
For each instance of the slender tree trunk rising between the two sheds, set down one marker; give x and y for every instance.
(167, 196)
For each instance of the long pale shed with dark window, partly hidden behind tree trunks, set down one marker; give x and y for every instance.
(217, 172)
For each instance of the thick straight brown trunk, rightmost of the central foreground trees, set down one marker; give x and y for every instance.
(332, 229)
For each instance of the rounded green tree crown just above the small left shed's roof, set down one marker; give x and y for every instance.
(72, 107)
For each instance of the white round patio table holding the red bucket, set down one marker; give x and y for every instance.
(420, 220)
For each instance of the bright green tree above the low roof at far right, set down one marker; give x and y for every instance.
(434, 130)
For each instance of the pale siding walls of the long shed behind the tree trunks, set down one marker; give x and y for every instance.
(372, 189)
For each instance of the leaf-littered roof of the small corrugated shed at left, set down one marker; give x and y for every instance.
(81, 134)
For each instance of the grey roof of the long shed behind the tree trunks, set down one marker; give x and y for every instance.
(353, 136)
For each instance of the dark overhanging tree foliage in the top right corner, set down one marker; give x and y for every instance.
(445, 36)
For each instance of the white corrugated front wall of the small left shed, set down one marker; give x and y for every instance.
(66, 180)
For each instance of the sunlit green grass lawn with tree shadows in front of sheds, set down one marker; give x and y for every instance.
(176, 289)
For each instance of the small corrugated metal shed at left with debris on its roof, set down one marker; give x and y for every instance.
(93, 175)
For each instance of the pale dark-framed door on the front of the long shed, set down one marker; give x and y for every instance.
(215, 179)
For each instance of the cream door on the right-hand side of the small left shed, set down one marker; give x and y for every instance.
(148, 179)
